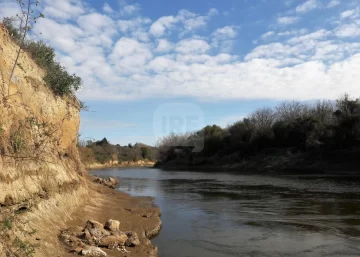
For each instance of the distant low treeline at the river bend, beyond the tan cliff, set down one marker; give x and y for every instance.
(104, 152)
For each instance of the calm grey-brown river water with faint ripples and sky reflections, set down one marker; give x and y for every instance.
(217, 214)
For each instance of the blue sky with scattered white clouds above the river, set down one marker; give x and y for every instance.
(154, 67)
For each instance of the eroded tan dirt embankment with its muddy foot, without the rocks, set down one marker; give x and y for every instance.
(43, 184)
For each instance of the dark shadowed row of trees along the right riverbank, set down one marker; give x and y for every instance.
(320, 127)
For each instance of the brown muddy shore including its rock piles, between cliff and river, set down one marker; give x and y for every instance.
(112, 224)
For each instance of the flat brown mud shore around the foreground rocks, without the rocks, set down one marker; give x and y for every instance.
(138, 214)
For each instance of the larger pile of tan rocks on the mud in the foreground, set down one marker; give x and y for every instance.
(88, 240)
